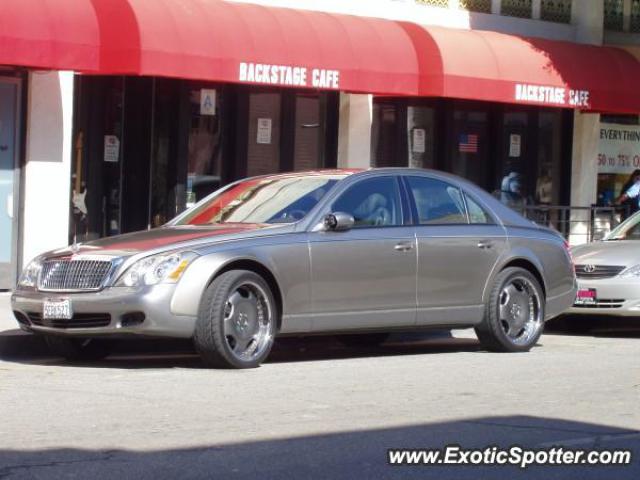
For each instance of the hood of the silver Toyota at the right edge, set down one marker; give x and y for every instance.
(608, 252)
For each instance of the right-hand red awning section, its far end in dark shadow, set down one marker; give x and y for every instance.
(492, 66)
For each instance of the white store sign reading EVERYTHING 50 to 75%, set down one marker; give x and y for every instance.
(619, 148)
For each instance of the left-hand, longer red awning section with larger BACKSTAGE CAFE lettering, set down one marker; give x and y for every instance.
(210, 39)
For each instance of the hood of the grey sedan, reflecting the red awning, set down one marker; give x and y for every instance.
(170, 238)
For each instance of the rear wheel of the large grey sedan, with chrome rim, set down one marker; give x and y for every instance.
(514, 313)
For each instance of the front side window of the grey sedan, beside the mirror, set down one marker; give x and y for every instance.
(372, 202)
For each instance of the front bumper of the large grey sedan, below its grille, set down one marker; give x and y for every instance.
(128, 311)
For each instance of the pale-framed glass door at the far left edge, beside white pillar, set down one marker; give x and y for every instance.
(9, 95)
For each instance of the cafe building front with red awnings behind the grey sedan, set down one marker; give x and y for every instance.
(111, 140)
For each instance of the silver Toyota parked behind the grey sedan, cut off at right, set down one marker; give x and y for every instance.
(608, 273)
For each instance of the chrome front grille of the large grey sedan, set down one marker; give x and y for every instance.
(74, 274)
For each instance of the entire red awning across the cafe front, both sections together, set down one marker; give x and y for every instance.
(244, 43)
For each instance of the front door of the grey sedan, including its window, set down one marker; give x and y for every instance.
(365, 277)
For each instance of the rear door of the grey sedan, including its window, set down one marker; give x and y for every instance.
(459, 244)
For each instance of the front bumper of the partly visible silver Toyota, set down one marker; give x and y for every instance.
(614, 297)
